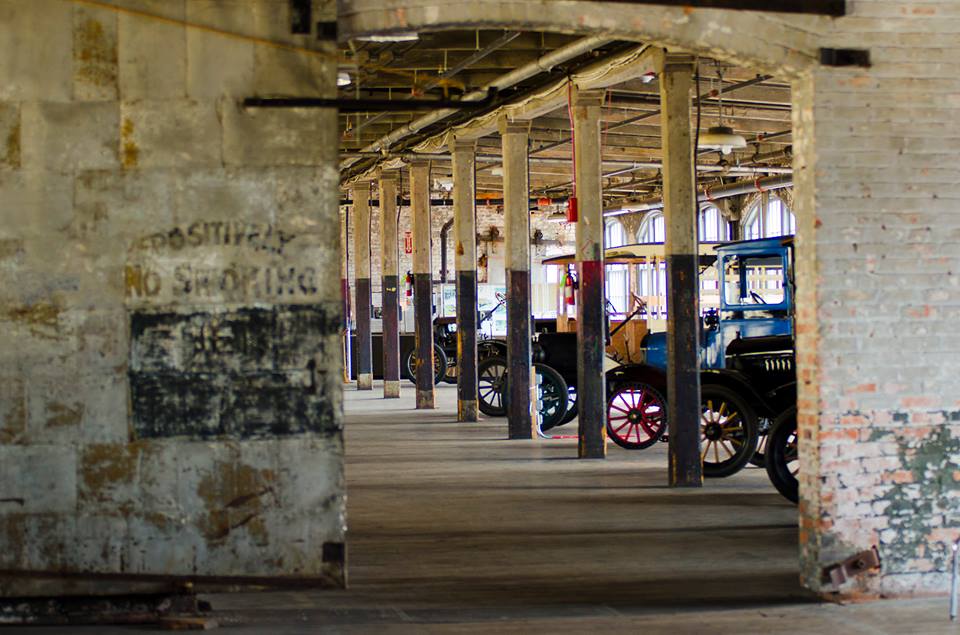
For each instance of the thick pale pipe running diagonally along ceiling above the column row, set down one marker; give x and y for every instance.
(542, 64)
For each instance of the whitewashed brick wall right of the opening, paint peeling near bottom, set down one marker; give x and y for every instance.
(880, 295)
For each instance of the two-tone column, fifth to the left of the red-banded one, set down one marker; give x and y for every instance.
(361, 274)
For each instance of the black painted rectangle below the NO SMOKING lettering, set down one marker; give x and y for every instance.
(243, 373)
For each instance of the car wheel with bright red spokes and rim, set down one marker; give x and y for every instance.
(636, 415)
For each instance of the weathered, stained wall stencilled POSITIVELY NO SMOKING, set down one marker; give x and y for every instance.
(170, 399)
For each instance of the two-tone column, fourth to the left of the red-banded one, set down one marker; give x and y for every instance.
(390, 282)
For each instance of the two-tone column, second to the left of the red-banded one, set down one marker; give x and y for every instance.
(465, 241)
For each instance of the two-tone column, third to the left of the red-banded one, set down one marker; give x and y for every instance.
(422, 282)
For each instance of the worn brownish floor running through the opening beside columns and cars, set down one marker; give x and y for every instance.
(454, 529)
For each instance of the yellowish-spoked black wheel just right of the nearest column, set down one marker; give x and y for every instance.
(728, 431)
